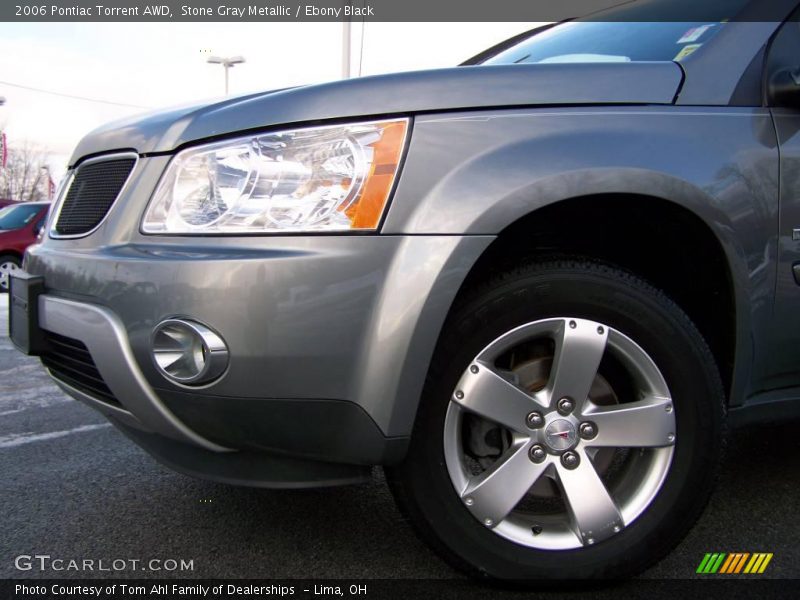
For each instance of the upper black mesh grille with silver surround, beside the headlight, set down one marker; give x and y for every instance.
(91, 194)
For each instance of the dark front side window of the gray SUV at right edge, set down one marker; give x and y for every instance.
(783, 65)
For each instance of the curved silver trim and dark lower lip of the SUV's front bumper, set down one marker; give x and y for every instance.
(139, 413)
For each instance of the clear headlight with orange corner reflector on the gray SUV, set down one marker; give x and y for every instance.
(334, 178)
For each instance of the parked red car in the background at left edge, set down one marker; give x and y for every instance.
(20, 224)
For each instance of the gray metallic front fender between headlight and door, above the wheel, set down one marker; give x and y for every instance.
(478, 173)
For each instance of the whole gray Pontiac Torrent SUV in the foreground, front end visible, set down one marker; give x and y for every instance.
(534, 287)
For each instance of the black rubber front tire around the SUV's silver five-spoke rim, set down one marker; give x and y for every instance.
(586, 289)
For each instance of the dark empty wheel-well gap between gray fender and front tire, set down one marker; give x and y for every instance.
(663, 241)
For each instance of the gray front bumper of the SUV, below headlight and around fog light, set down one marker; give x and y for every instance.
(330, 340)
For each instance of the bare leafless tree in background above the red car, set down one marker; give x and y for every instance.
(25, 177)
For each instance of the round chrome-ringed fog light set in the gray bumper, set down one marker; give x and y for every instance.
(188, 352)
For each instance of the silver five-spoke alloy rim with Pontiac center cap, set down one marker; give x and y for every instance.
(557, 432)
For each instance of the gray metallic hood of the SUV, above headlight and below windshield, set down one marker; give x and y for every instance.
(395, 94)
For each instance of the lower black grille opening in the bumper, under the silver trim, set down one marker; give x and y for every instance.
(69, 361)
